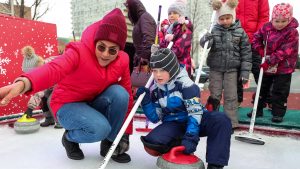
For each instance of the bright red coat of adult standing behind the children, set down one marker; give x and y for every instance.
(253, 14)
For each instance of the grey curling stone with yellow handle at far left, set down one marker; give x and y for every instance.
(26, 125)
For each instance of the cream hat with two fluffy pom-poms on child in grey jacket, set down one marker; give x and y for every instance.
(224, 7)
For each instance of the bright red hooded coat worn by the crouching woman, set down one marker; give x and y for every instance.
(78, 75)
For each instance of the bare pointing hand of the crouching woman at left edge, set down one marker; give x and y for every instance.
(10, 91)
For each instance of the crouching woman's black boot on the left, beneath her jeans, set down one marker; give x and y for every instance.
(72, 148)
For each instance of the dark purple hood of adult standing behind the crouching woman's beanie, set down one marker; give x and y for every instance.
(135, 10)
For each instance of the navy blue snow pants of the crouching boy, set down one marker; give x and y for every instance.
(215, 125)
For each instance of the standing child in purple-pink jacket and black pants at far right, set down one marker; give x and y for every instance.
(280, 61)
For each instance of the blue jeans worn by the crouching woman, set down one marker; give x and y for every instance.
(97, 120)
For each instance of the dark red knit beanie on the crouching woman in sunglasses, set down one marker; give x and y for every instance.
(113, 28)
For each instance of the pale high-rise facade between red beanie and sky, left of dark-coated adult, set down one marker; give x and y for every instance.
(86, 12)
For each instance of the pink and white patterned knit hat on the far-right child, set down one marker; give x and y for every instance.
(282, 10)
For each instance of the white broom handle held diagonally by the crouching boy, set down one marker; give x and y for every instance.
(127, 121)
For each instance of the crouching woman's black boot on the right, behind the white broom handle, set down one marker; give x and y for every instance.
(118, 155)
